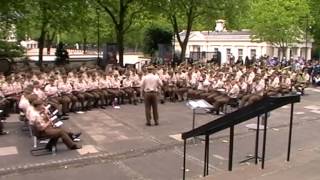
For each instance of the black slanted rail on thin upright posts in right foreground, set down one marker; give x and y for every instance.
(262, 107)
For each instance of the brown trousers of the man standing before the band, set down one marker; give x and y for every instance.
(151, 101)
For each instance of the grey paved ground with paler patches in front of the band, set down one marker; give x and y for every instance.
(117, 145)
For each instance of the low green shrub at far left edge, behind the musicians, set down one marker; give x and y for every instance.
(10, 50)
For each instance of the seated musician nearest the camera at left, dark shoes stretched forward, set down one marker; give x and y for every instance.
(46, 128)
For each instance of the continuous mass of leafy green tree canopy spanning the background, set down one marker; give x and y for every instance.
(127, 21)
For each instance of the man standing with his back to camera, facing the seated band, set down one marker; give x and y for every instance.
(150, 86)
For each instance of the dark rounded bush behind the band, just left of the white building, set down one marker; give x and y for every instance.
(155, 36)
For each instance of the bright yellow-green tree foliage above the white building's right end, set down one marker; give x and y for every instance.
(278, 22)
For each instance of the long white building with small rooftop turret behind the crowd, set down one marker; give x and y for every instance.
(237, 43)
